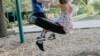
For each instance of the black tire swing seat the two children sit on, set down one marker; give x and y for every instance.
(47, 24)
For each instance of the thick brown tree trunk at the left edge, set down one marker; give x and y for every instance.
(3, 30)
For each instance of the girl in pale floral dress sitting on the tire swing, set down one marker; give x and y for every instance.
(65, 19)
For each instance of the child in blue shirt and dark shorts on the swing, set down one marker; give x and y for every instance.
(38, 11)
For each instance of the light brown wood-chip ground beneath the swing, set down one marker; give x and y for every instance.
(83, 42)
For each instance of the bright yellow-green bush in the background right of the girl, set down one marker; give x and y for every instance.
(84, 7)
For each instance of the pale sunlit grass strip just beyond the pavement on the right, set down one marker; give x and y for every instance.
(82, 17)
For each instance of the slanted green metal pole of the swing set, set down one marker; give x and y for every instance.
(19, 21)
